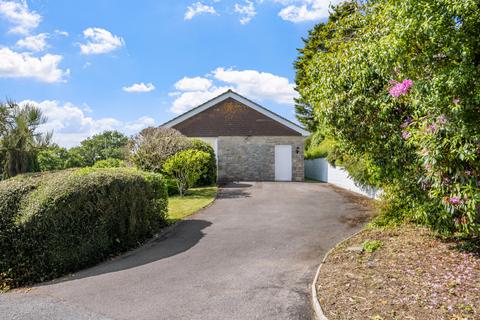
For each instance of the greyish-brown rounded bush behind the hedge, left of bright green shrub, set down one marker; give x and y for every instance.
(153, 146)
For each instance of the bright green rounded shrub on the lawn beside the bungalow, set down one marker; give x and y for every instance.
(186, 167)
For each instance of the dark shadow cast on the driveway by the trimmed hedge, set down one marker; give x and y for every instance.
(185, 235)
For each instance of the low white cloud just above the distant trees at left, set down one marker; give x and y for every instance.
(70, 125)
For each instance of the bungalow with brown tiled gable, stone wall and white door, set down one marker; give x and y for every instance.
(251, 143)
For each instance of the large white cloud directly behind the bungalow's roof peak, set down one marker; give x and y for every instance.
(251, 83)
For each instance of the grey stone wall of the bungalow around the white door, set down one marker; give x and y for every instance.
(252, 158)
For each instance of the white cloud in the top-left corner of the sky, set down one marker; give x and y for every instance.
(18, 14)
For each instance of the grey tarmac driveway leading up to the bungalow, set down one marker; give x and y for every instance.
(251, 255)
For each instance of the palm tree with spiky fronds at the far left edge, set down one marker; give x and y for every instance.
(19, 138)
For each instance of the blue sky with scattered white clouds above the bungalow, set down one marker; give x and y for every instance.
(96, 65)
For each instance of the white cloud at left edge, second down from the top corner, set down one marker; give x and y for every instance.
(25, 65)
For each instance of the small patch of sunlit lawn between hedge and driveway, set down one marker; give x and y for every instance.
(194, 200)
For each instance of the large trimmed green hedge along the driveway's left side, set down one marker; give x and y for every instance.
(59, 222)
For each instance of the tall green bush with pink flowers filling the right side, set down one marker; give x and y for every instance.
(398, 87)
